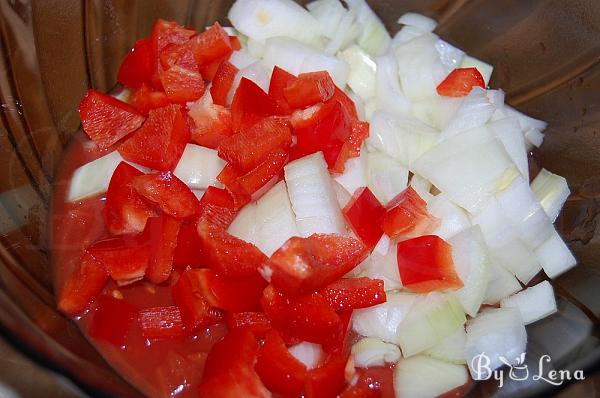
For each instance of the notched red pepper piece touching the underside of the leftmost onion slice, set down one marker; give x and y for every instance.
(124, 209)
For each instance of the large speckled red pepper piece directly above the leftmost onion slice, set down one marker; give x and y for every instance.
(160, 142)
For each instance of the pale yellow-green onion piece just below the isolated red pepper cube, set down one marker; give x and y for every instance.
(432, 317)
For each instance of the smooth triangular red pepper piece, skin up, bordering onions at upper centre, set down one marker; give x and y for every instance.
(251, 104)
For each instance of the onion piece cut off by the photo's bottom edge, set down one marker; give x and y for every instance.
(425, 377)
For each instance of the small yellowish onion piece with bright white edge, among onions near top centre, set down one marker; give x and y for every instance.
(361, 78)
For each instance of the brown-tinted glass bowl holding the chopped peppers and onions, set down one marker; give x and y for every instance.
(546, 55)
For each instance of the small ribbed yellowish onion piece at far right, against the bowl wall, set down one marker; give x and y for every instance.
(552, 191)
